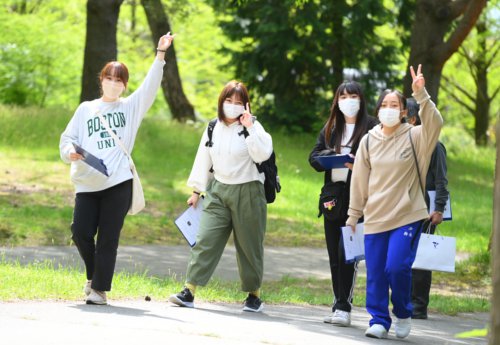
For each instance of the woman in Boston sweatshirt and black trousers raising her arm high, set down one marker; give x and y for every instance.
(103, 196)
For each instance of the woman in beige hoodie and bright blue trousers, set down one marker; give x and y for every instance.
(388, 190)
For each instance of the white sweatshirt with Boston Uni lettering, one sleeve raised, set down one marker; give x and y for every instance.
(124, 118)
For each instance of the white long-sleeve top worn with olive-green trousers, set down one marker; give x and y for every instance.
(232, 156)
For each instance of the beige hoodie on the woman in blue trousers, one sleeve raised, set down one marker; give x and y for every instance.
(385, 186)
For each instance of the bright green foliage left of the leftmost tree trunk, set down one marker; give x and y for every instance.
(40, 62)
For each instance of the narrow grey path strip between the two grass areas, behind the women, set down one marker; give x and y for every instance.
(163, 261)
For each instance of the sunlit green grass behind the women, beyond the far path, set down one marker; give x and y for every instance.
(36, 196)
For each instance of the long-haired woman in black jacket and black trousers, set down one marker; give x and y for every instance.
(347, 124)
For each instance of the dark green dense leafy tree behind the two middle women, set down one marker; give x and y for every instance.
(293, 54)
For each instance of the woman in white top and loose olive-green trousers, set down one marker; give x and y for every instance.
(235, 200)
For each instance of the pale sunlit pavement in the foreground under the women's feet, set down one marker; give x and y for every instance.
(140, 322)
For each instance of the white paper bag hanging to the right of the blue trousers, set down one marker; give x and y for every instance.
(435, 253)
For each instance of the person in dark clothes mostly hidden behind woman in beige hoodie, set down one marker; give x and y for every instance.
(436, 181)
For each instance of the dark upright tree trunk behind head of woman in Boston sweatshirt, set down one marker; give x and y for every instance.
(100, 44)
